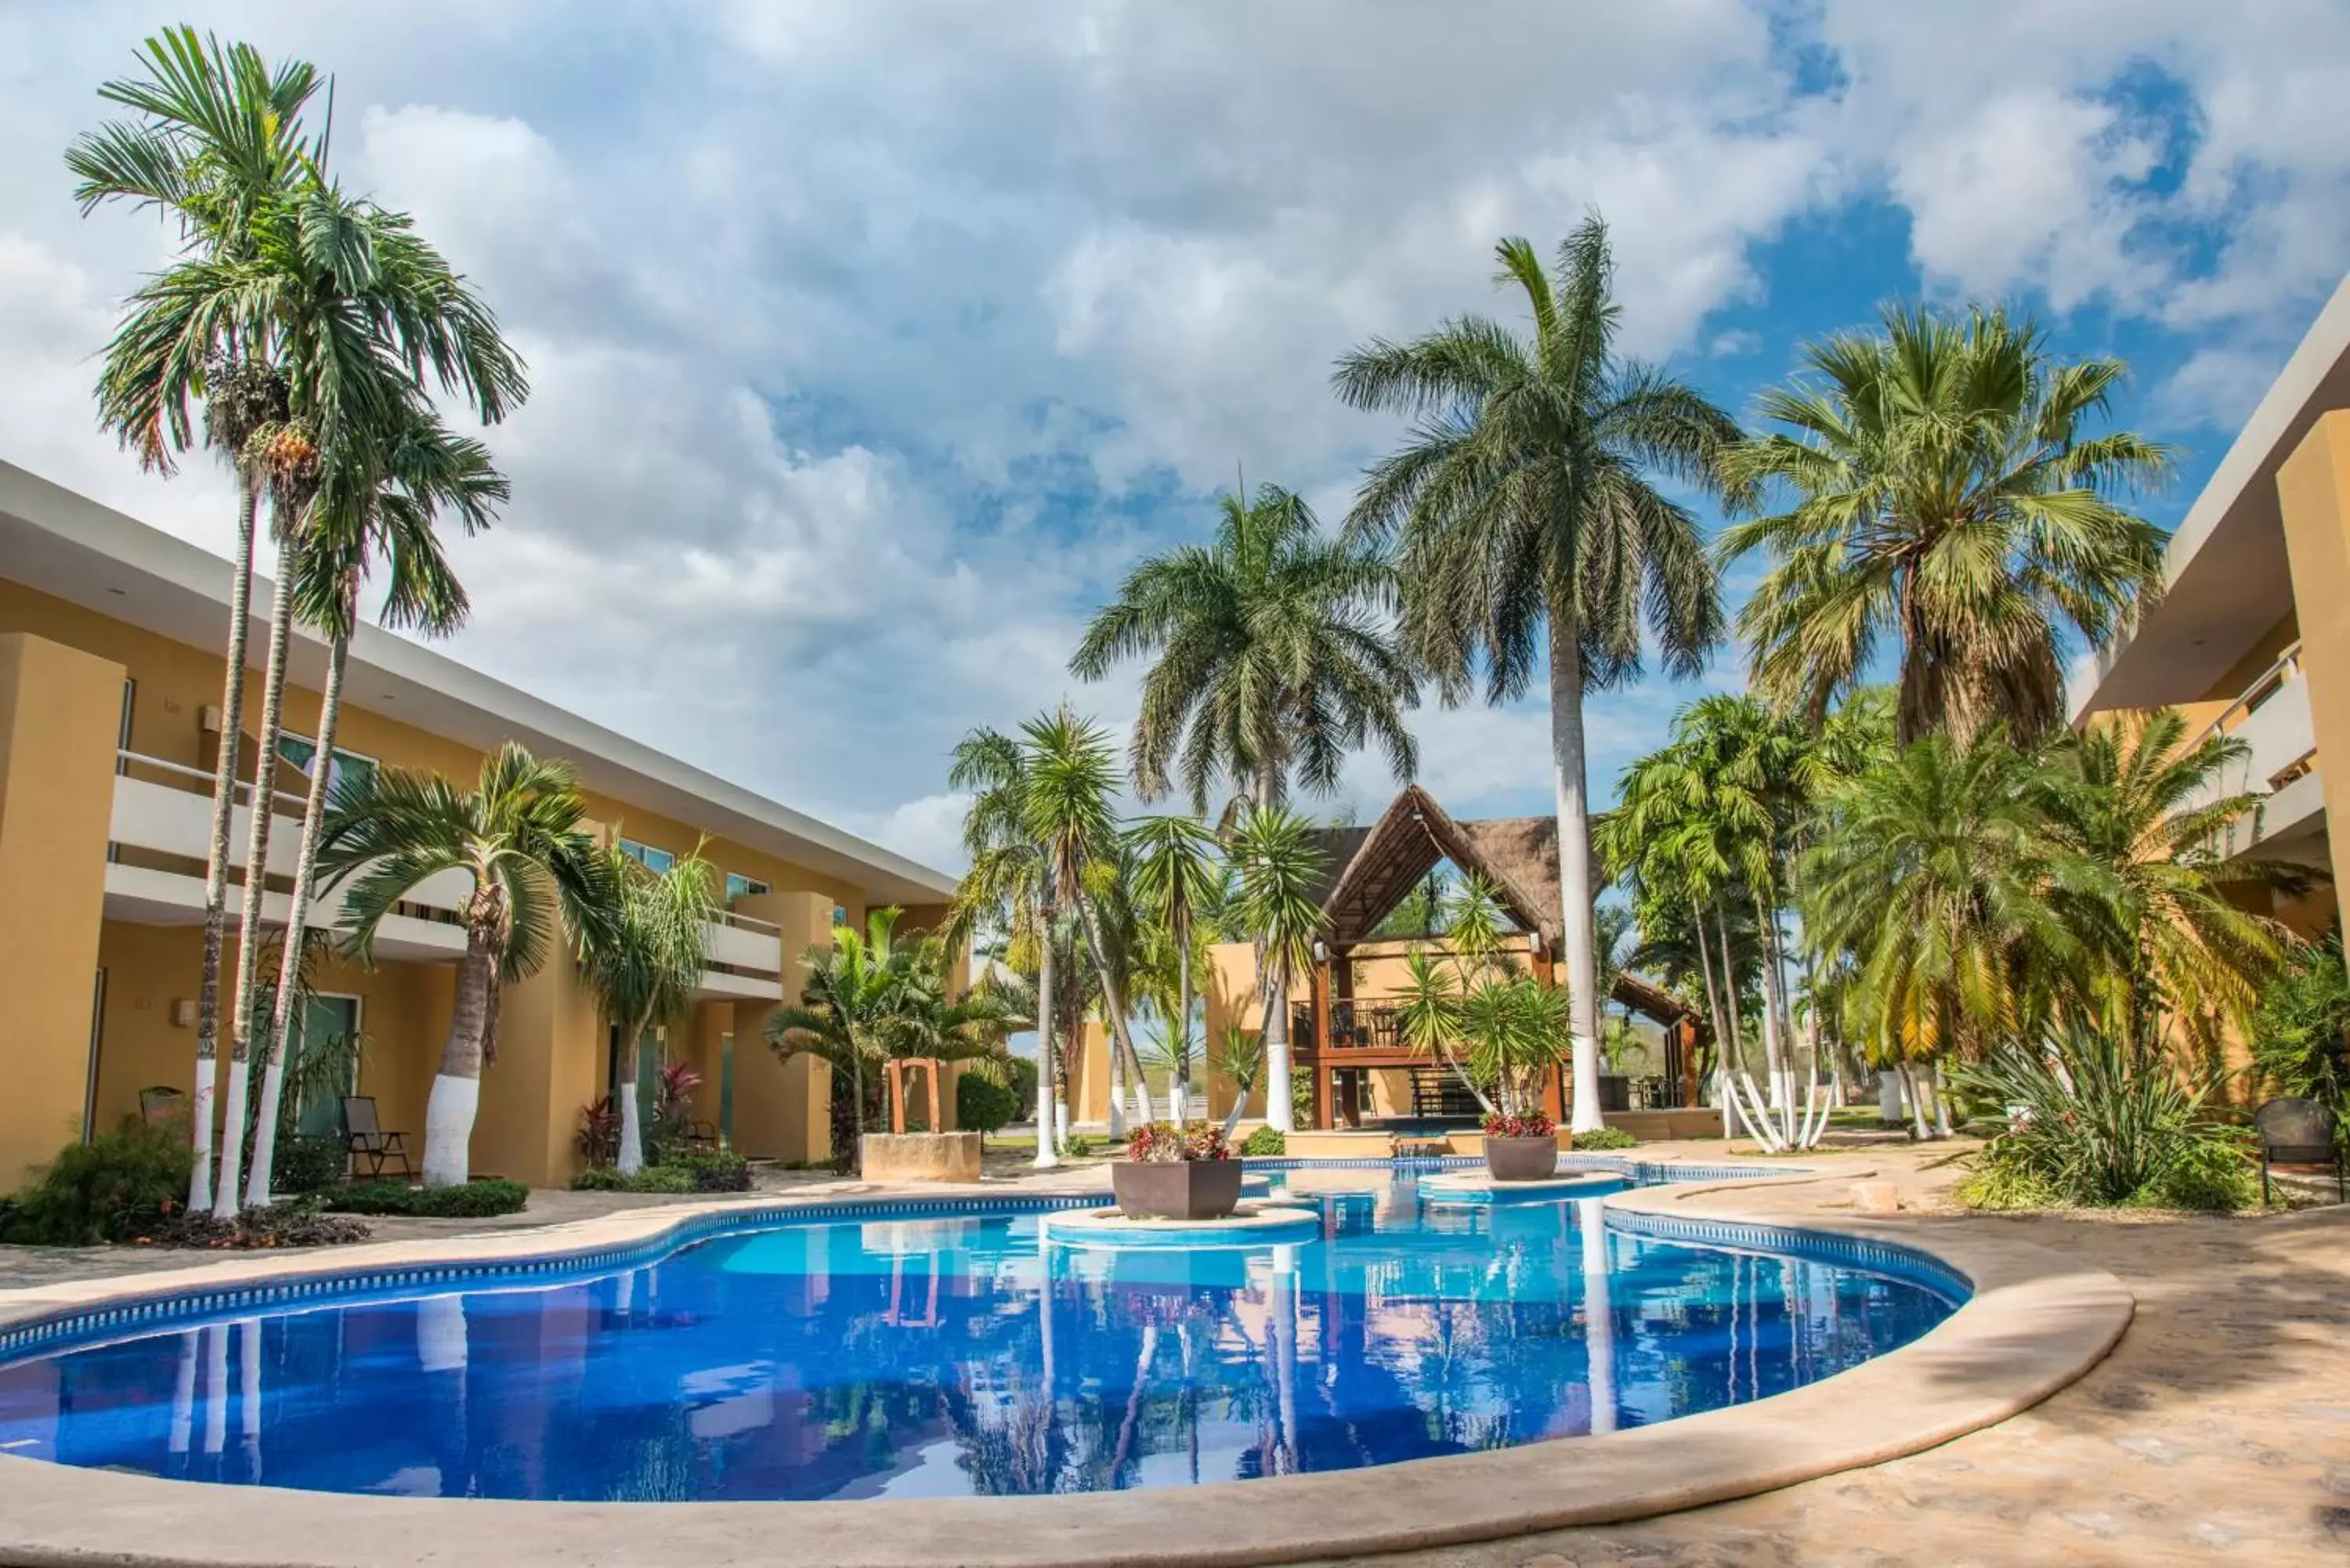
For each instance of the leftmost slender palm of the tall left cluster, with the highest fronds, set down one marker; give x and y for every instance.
(217, 138)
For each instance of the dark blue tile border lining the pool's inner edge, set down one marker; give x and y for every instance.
(180, 1308)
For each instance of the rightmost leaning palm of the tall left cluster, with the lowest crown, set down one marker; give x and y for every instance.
(377, 500)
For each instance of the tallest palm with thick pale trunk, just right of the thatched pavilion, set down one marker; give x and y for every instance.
(1526, 525)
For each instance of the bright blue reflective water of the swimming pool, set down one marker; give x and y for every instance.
(967, 1355)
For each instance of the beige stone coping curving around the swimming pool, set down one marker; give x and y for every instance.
(2034, 1325)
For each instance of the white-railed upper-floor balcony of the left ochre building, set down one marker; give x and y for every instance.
(161, 838)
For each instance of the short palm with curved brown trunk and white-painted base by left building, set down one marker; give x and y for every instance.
(537, 878)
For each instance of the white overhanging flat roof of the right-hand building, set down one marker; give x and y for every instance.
(2227, 575)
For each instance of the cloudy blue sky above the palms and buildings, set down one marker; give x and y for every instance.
(873, 344)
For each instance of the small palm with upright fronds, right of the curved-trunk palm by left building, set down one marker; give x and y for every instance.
(645, 963)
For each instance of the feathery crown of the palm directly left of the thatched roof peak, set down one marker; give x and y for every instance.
(1270, 657)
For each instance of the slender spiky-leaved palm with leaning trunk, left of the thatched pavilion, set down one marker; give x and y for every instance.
(1068, 812)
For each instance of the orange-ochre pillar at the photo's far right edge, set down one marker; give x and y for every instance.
(2314, 495)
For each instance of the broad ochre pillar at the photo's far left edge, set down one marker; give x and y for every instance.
(60, 713)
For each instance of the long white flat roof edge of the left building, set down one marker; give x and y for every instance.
(69, 547)
